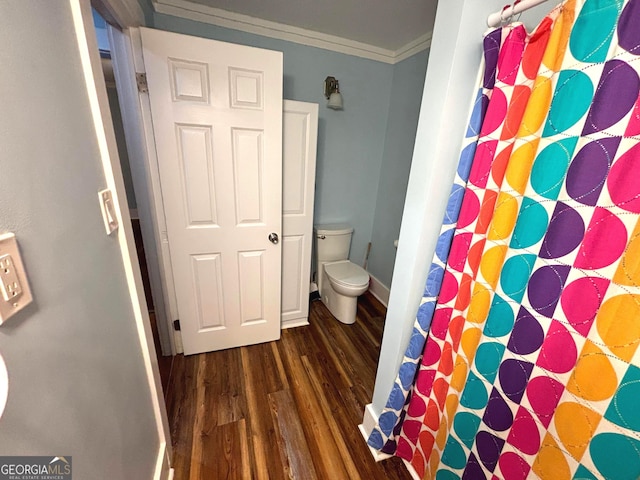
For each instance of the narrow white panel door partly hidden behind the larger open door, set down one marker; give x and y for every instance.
(300, 124)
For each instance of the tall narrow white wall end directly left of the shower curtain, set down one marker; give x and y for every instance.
(456, 49)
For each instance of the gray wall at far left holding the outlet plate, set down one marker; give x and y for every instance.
(78, 384)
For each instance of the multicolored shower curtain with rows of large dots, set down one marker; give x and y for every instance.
(524, 359)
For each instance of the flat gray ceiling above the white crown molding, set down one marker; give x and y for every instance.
(386, 24)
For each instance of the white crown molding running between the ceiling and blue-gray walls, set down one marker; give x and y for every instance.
(280, 31)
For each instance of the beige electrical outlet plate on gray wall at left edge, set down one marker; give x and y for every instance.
(15, 293)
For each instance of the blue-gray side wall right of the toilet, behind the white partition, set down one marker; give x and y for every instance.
(408, 80)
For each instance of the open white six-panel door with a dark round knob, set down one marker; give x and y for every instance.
(217, 120)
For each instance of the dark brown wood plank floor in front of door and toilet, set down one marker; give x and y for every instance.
(285, 409)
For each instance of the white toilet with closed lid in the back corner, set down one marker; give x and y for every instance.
(339, 281)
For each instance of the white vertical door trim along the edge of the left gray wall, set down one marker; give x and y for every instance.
(105, 136)
